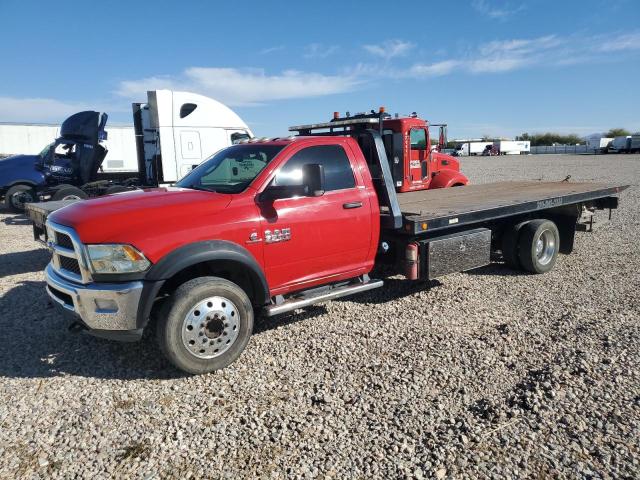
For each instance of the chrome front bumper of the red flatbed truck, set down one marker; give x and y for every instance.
(101, 306)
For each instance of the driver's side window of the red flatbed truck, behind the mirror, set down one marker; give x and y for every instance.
(338, 174)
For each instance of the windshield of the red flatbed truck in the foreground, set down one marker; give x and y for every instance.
(230, 170)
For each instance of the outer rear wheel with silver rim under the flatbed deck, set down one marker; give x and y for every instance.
(538, 246)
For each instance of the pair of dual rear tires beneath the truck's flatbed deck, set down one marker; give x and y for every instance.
(532, 246)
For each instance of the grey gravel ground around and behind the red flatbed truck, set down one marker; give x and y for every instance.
(489, 373)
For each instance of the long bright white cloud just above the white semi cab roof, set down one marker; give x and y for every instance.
(243, 87)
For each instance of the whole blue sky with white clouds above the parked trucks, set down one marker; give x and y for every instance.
(484, 67)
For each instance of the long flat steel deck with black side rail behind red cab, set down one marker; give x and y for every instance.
(433, 210)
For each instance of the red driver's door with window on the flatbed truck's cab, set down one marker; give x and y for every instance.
(307, 238)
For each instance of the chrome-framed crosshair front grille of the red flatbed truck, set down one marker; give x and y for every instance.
(68, 253)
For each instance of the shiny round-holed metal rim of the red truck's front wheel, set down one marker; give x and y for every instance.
(211, 327)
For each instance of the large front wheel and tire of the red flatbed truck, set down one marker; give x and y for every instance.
(205, 325)
